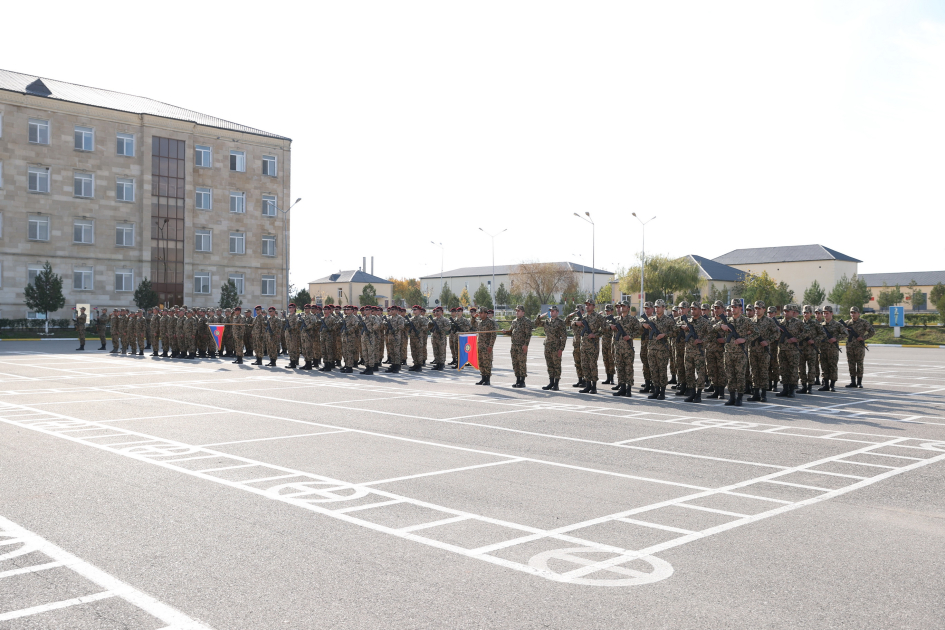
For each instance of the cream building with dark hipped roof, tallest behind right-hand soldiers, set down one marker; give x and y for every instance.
(797, 265)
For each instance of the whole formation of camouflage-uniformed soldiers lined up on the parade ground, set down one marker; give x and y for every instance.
(696, 348)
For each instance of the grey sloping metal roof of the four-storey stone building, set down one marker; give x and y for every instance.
(97, 97)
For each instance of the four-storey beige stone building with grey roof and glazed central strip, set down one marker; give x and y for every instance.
(112, 188)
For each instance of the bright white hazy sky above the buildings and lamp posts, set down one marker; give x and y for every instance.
(736, 124)
